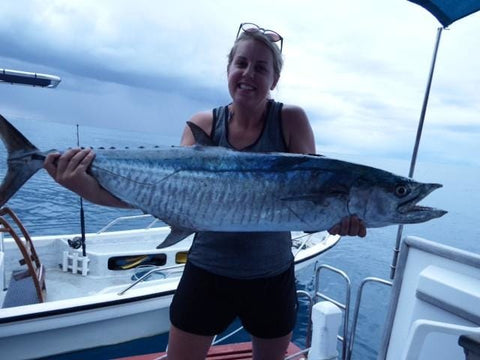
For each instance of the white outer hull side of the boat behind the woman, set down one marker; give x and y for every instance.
(82, 329)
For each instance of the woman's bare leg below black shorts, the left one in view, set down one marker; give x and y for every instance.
(187, 346)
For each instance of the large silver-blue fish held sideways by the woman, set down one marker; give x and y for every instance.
(216, 189)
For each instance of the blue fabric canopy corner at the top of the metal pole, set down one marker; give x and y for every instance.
(449, 11)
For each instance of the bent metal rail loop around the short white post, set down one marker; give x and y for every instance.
(343, 306)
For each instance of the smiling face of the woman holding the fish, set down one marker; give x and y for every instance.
(251, 75)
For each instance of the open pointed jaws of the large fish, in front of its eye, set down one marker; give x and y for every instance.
(419, 213)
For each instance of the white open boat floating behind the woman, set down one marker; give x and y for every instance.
(123, 285)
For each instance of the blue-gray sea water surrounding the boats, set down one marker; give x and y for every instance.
(47, 208)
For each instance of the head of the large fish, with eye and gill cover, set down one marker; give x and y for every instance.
(392, 199)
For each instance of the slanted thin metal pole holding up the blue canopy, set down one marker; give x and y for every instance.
(415, 149)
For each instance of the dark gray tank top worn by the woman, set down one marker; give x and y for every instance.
(245, 255)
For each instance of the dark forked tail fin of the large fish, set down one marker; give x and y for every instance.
(24, 160)
